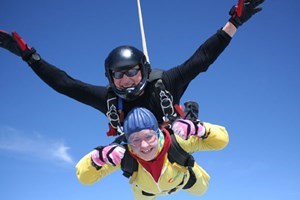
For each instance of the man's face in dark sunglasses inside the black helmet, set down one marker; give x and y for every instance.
(127, 78)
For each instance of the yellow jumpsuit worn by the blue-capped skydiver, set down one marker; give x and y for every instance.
(172, 178)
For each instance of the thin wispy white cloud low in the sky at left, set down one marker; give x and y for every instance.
(33, 144)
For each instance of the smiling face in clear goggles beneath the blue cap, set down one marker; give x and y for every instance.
(144, 144)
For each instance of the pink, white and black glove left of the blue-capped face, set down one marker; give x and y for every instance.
(111, 154)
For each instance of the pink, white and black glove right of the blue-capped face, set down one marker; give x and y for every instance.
(185, 128)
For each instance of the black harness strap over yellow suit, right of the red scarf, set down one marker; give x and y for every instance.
(178, 155)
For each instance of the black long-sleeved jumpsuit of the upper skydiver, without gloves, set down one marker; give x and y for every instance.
(175, 79)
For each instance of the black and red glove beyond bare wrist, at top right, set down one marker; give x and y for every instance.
(243, 11)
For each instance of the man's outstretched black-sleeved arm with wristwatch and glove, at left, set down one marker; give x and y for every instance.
(56, 78)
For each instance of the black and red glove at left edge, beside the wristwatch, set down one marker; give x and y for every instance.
(15, 44)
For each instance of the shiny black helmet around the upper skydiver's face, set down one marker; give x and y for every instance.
(123, 58)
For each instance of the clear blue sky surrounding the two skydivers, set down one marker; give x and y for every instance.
(253, 89)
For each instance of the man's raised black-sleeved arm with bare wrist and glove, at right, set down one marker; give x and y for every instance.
(210, 50)
